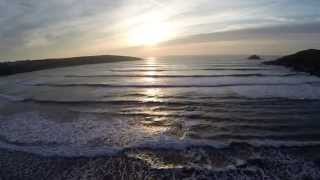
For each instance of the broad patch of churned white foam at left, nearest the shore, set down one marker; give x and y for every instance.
(88, 135)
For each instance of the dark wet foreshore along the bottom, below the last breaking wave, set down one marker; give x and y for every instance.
(239, 160)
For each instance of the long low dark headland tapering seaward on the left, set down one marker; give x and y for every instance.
(9, 68)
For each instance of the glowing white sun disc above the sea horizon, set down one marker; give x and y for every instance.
(150, 34)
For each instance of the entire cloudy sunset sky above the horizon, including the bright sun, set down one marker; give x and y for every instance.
(35, 29)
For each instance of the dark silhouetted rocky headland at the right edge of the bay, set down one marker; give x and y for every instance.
(306, 61)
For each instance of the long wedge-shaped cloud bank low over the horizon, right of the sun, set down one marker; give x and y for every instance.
(274, 40)
